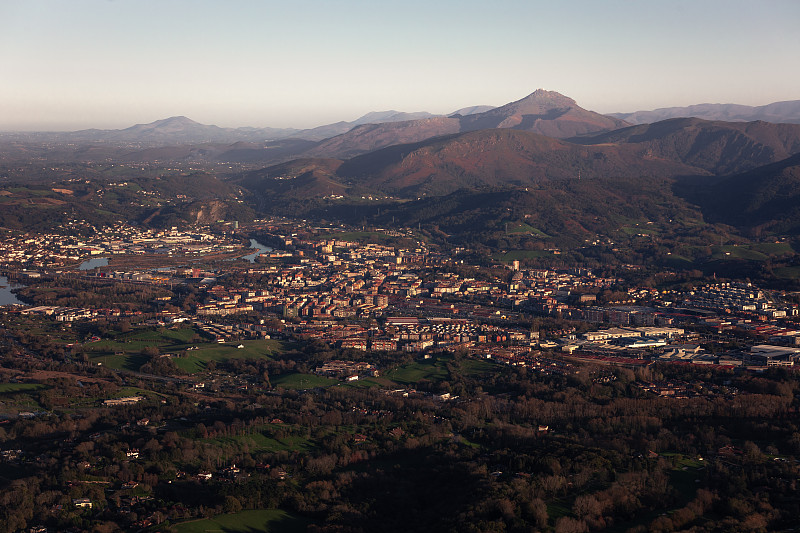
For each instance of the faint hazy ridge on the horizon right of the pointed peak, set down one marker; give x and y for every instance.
(776, 112)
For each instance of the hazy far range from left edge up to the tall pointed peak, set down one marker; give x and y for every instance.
(181, 139)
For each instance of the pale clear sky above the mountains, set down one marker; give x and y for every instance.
(74, 64)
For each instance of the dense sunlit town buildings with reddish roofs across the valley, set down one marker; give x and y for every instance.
(368, 296)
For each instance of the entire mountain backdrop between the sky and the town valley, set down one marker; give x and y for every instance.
(543, 158)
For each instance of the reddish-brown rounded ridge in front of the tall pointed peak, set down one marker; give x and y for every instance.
(504, 157)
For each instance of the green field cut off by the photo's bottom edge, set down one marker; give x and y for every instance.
(269, 521)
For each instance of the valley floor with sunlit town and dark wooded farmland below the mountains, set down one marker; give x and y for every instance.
(262, 370)
